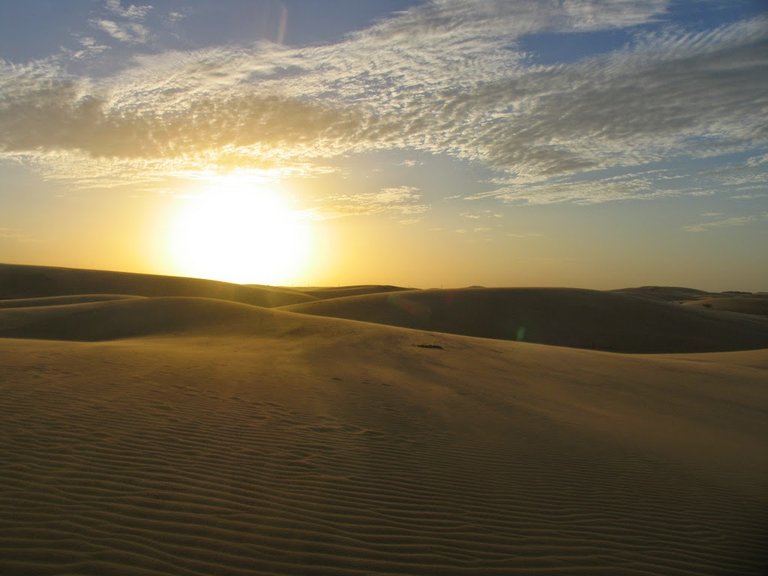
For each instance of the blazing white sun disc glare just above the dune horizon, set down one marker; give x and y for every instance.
(239, 231)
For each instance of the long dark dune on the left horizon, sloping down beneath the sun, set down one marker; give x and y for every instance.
(18, 281)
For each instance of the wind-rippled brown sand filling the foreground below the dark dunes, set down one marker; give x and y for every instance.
(265, 442)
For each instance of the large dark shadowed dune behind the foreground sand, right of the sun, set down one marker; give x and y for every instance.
(562, 317)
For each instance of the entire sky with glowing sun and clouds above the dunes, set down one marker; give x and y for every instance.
(434, 143)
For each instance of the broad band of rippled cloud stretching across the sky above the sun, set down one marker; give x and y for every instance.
(446, 77)
